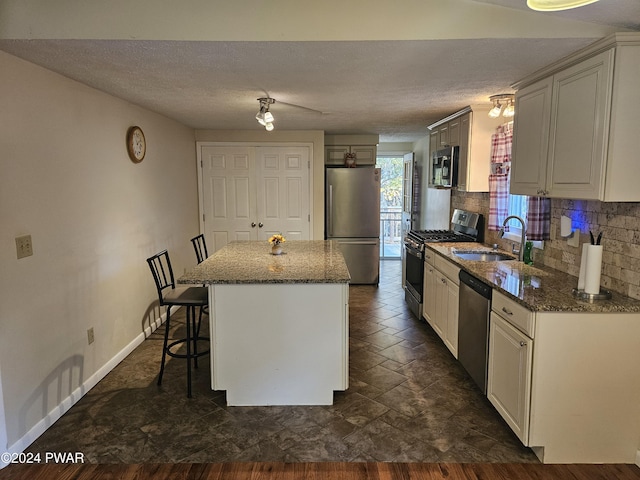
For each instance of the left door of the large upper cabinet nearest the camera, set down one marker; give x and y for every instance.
(531, 139)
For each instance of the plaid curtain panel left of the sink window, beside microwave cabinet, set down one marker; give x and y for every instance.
(501, 142)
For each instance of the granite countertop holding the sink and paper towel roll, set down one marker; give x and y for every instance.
(537, 287)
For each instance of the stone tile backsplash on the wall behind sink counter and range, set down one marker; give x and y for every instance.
(618, 222)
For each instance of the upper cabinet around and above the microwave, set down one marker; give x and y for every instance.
(470, 129)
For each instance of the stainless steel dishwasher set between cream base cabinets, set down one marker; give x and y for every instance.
(473, 327)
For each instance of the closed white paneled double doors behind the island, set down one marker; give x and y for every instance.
(252, 192)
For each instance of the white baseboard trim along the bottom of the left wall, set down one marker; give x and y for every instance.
(64, 406)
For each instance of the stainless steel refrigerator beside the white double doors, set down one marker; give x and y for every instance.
(352, 218)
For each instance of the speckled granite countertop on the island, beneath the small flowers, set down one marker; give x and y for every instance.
(312, 261)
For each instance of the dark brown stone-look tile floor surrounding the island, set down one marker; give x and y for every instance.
(409, 400)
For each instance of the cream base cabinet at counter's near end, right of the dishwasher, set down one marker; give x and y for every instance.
(567, 383)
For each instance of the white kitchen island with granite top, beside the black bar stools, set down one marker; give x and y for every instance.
(278, 323)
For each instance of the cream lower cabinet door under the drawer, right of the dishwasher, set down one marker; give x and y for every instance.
(509, 376)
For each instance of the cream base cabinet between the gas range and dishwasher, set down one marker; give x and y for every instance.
(440, 299)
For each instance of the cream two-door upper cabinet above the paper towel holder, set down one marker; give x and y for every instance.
(574, 134)
